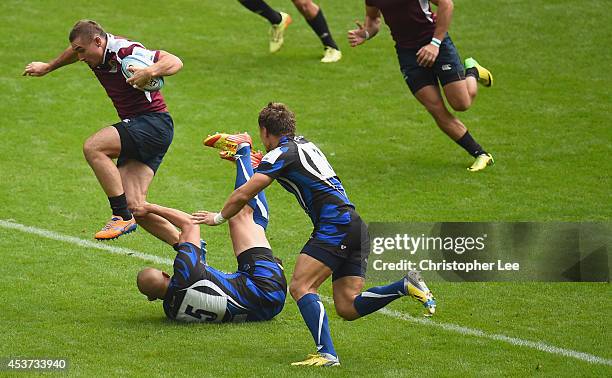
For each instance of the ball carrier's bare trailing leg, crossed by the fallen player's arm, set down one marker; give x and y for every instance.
(137, 177)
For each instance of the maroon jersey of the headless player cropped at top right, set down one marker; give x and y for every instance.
(412, 22)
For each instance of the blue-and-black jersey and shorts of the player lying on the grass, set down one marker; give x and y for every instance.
(255, 292)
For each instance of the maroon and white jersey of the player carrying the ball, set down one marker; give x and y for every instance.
(128, 101)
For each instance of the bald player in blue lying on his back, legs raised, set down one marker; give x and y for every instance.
(199, 293)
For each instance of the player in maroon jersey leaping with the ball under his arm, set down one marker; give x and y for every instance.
(139, 141)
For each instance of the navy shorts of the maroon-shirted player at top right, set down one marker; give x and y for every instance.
(447, 68)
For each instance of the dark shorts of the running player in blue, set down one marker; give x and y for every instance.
(348, 257)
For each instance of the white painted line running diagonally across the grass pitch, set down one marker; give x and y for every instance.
(543, 347)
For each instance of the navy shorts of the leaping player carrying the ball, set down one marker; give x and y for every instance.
(145, 138)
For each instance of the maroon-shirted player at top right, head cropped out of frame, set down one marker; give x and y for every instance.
(427, 55)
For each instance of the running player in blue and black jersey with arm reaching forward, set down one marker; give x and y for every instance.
(339, 243)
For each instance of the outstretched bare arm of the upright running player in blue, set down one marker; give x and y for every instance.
(235, 202)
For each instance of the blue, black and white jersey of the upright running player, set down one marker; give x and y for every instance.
(302, 169)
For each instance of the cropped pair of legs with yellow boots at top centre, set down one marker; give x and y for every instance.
(280, 20)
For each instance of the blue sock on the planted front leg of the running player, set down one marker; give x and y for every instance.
(315, 317)
